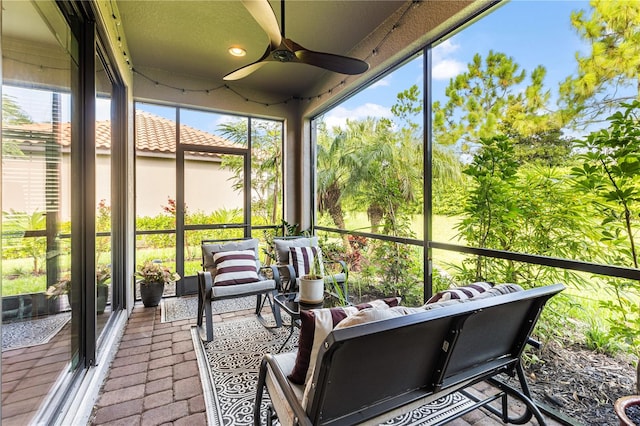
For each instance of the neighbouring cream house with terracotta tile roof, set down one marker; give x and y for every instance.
(155, 166)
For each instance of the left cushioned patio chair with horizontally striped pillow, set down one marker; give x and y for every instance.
(231, 269)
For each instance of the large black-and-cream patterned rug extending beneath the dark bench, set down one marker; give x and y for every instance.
(234, 358)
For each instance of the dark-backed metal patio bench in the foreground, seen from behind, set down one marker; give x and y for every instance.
(372, 372)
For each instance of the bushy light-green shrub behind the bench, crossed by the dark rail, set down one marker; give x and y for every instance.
(526, 209)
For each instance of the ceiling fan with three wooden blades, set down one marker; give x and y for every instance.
(282, 49)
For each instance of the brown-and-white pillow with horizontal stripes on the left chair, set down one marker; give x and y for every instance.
(235, 267)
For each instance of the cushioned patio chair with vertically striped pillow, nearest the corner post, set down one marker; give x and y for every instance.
(290, 275)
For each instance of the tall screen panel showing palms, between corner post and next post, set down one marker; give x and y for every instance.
(369, 157)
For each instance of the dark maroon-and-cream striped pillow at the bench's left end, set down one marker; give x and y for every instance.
(316, 324)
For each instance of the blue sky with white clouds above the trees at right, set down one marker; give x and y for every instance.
(532, 32)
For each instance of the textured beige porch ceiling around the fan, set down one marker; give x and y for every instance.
(191, 38)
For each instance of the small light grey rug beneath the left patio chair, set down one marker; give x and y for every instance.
(179, 308)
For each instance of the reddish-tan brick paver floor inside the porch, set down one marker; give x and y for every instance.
(154, 378)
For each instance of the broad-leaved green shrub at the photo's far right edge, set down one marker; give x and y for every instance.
(611, 174)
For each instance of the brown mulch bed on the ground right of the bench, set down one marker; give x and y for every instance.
(581, 383)
